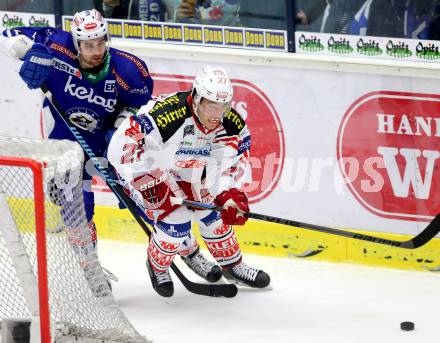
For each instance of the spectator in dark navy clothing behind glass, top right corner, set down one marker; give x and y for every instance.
(395, 18)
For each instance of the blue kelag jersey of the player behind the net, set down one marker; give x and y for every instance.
(91, 101)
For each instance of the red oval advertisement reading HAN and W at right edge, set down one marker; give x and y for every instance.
(389, 153)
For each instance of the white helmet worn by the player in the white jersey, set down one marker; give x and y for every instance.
(212, 83)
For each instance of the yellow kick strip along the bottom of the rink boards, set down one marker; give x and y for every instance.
(282, 241)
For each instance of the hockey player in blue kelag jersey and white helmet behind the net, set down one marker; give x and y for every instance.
(94, 84)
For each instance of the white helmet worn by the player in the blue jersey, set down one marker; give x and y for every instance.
(86, 25)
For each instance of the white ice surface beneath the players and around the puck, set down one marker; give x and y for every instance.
(310, 302)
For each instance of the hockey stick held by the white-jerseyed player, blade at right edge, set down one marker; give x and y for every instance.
(422, 238)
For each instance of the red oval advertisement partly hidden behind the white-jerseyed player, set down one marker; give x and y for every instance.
(254, 106)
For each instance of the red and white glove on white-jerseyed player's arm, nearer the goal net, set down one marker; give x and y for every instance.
(155, 192)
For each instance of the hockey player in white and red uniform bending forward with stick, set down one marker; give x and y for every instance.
(193, 145)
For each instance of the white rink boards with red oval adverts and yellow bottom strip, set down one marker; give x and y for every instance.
(344, 143)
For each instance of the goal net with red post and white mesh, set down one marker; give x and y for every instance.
(49, 269)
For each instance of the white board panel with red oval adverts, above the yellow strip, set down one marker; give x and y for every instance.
(349, 150)
